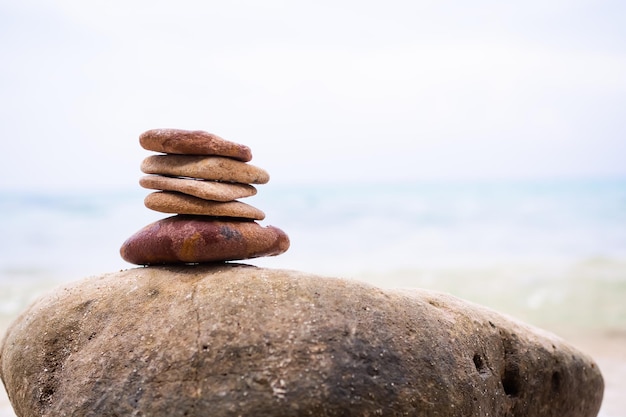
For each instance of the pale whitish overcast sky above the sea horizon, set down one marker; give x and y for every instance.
(340, 90)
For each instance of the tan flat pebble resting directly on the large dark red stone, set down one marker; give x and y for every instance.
(173, 202)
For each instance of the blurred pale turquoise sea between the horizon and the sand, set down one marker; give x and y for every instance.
(544, 250)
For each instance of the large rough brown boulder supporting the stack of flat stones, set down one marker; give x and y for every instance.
(232, 340)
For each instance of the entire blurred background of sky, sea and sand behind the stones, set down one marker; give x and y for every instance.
(477, 149)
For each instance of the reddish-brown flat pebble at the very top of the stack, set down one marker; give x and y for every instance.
(192, 142)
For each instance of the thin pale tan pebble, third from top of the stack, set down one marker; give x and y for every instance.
(208, 190)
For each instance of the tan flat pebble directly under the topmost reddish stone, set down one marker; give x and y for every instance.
(205, 167)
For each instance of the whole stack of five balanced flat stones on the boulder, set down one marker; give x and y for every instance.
(200, 176)
